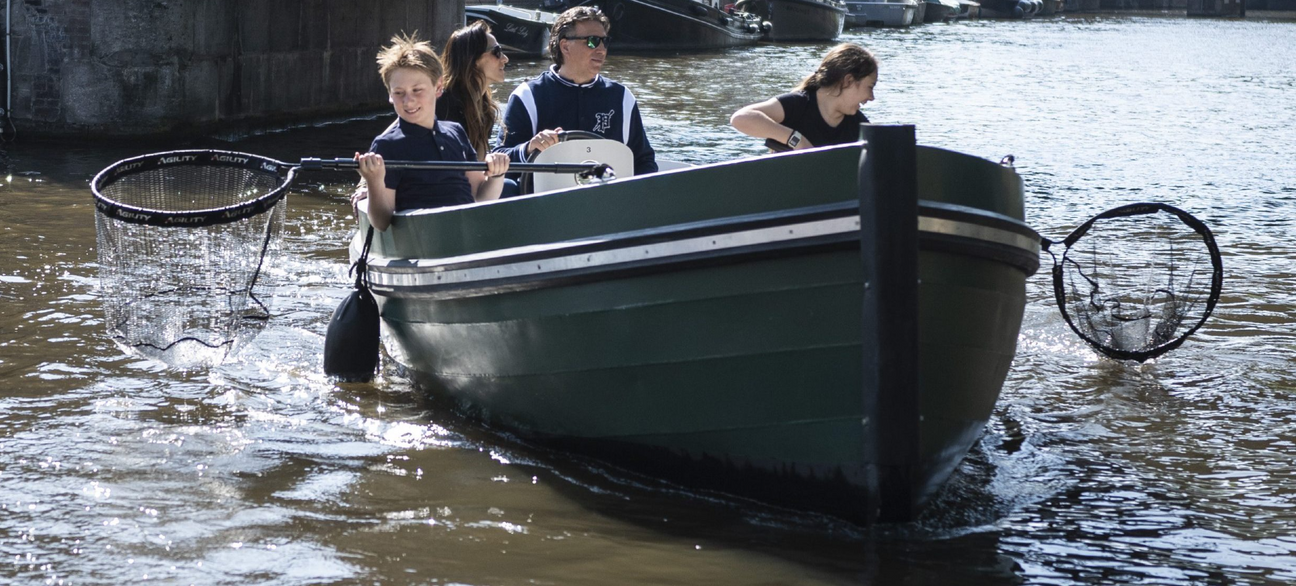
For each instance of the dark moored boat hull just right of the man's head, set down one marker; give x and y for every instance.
(654, 25)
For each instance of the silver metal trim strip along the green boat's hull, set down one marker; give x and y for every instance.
(979, 234)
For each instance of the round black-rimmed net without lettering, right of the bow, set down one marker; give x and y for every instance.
(1136, 282)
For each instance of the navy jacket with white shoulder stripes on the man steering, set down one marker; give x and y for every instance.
(601, 107)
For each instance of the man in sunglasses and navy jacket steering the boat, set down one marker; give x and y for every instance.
(573, 95)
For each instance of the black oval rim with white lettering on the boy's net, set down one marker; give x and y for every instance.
(191, 218)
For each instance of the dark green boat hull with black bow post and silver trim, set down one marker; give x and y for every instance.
(825, 330)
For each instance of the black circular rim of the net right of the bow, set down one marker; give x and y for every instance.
(1141, 209)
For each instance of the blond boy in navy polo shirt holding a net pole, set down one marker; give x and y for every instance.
(413, 75)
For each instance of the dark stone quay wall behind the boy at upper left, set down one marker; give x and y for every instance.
(130, 68)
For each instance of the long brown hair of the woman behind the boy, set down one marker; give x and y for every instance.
(469, 85)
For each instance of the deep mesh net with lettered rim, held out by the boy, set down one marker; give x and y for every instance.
(185, 242)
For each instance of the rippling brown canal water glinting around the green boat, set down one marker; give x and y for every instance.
(1091, 471)
